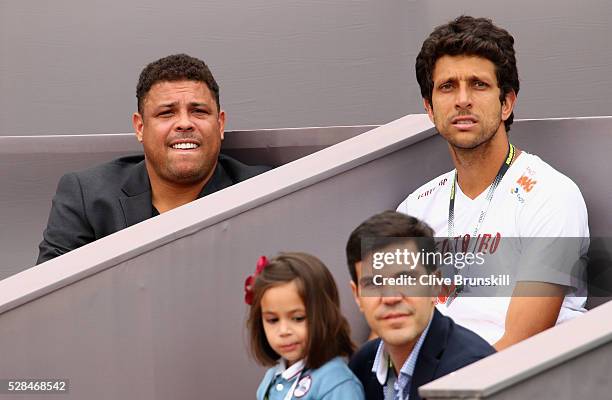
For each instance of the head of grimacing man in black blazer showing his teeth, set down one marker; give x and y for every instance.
(179, 120)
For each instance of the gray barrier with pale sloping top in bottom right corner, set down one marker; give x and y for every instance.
(569, 361)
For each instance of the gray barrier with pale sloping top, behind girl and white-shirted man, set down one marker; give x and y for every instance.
(156, 311)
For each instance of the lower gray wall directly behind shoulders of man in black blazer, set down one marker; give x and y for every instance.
(32, 165)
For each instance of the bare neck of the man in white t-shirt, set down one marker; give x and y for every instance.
(477, 167)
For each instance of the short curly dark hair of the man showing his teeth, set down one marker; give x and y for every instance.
(172, 68)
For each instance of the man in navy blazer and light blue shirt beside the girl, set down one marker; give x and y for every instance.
(417, 344)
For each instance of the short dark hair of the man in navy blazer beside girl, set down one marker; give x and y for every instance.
(392, 225)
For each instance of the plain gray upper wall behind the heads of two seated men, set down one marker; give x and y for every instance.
(70, 67)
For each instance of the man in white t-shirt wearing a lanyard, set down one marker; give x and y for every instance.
(469, 82)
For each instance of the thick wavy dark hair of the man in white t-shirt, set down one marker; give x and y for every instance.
(473, 37)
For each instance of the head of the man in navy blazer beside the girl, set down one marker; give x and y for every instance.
(399, 317)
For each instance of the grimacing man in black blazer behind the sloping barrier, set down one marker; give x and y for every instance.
(180, 124)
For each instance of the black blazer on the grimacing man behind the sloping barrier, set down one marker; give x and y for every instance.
(96, 202)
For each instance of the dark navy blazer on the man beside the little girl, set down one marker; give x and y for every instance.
(447, 348)
